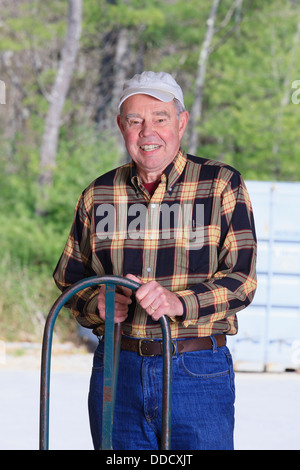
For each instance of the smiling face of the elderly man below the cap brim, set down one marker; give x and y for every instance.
(152, 133)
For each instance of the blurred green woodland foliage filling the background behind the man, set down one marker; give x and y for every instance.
(248, 118)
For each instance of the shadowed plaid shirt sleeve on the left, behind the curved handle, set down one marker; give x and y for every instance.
(75, 265)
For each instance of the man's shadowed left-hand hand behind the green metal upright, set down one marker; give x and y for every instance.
(122, 301)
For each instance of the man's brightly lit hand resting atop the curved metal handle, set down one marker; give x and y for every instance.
(157, 300)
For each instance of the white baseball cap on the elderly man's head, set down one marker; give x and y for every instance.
(160, 85)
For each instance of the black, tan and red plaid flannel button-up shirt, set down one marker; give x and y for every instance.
(213, 280)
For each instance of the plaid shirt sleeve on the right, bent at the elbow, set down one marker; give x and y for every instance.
(232, 287)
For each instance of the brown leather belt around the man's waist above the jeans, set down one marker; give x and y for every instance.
(150, 347)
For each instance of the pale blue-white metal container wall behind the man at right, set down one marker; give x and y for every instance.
(269, 329)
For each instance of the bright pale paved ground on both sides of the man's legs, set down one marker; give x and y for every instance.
(267, 405)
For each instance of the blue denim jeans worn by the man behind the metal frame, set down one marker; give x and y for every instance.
(203, 397)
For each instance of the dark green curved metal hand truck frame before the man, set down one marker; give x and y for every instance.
(112, 343)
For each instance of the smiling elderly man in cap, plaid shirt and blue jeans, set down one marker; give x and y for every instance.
(181, 226)
